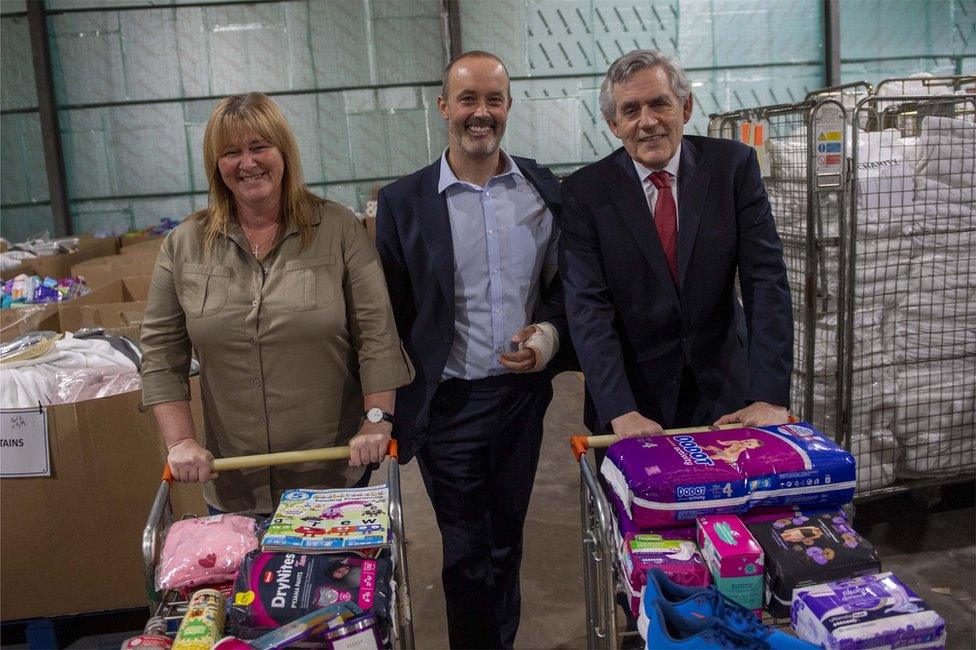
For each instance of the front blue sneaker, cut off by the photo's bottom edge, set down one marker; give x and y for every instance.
(663, 627)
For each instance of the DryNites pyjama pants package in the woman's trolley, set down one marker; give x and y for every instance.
(273, 589)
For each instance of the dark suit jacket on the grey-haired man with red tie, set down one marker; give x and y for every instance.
(634, 332)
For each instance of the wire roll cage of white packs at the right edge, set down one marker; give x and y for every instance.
(931, 335)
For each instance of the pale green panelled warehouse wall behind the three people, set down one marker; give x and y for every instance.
(358, 79)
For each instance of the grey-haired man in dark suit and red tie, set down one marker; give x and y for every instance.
(653, 237)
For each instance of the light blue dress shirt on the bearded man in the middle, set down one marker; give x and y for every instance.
(504, 242)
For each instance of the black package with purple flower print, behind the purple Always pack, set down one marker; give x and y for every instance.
(805, 550)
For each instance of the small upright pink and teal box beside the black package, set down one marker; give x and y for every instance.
(734, 559)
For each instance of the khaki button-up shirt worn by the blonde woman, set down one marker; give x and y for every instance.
(287, 347)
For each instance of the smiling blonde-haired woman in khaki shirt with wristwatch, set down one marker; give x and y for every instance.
(282, 297)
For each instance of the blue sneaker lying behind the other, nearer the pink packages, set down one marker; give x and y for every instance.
(704, 603)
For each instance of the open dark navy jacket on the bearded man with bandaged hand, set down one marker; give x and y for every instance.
(413, 237)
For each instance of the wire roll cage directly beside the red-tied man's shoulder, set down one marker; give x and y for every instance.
(809, 199)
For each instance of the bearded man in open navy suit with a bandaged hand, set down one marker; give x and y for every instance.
(468, 245)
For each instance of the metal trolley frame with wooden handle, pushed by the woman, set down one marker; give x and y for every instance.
(170, 605)
